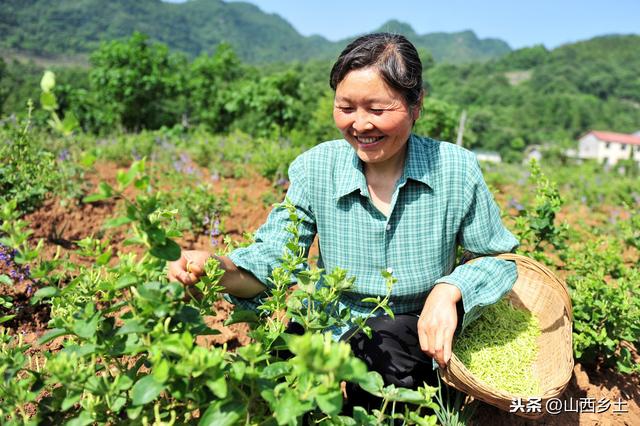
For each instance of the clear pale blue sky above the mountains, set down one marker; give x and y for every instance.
(521, 23)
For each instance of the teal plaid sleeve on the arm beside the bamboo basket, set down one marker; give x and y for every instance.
(484, 281)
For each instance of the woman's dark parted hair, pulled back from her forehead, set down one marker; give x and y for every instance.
(395, 58)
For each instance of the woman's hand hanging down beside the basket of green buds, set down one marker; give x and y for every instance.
(438, 321)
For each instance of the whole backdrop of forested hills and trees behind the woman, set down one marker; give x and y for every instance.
(515, 99)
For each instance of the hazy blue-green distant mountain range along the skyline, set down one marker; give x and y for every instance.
(66, 27)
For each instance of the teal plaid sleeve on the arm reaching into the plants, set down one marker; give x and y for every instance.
(265, 254)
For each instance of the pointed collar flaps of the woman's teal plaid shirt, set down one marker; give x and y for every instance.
(417, 167)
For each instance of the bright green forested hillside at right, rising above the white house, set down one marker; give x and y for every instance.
(537, 96)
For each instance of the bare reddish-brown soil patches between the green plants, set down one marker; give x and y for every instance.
(61, 227)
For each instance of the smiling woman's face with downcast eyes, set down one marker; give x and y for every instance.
(373, 117)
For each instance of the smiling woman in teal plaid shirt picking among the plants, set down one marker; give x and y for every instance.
(384, 198)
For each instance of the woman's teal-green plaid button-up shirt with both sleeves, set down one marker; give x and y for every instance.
(441, 201)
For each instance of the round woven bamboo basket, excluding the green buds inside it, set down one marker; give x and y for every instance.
(539, 291)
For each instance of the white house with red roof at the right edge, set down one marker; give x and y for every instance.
(608, 147)
